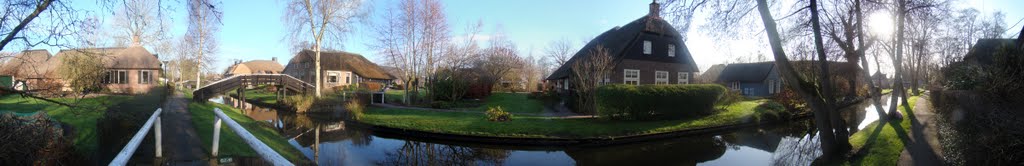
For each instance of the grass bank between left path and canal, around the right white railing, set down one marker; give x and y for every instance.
(231, 144)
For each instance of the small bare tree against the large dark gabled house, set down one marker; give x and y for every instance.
(587, 76)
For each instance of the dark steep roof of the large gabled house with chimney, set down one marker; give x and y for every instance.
(620, 40)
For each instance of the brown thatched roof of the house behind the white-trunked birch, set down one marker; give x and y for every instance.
(339, 61)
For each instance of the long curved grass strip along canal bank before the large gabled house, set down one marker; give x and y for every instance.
(530, 127)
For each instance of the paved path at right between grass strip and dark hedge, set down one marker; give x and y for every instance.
(924, 148)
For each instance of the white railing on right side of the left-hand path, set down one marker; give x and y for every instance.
(266, 152)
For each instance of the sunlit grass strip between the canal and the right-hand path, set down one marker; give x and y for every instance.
(882, 147)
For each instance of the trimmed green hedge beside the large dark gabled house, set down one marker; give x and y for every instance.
(622, 102)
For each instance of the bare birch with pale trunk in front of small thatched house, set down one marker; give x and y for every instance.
(319, 20)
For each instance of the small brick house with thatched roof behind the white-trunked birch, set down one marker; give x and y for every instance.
(338, 69)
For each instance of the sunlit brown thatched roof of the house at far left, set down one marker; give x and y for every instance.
(119, 58)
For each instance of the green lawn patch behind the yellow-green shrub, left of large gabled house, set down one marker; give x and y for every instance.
(513, 103)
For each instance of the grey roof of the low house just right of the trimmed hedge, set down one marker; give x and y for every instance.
(752, 72)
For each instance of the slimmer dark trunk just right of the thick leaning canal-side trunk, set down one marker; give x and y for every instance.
(842, 136)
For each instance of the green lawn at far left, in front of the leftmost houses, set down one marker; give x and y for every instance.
(82, 119)
